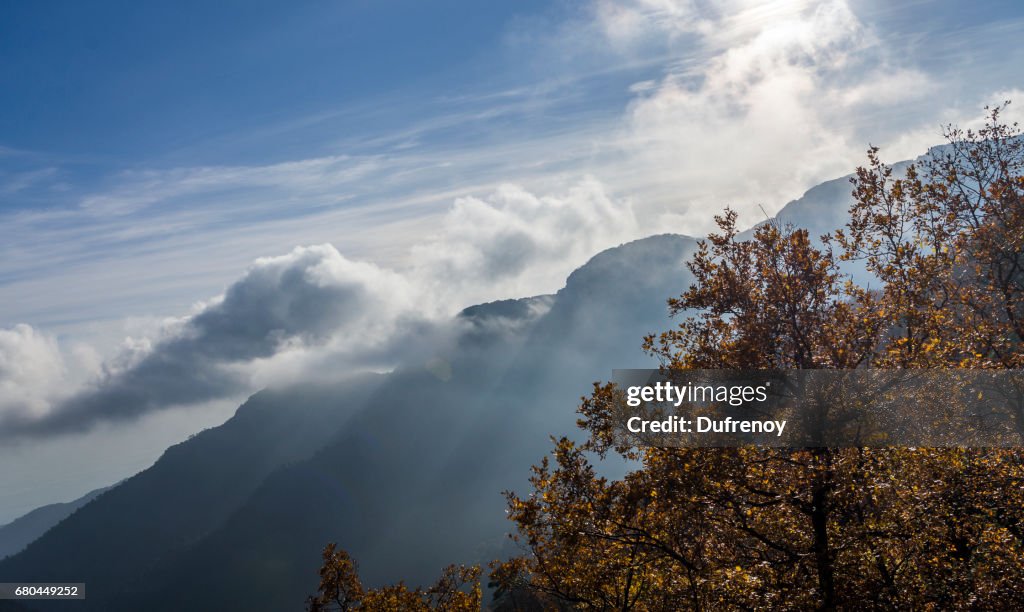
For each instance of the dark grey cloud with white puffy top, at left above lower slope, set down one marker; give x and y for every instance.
(304, 299)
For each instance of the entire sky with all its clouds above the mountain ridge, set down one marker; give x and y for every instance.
(199, 200)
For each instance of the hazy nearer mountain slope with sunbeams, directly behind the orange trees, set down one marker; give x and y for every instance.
(414, 482)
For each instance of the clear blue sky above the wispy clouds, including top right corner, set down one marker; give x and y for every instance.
(102, 88)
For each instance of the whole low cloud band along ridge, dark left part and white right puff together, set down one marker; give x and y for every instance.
(314, 311)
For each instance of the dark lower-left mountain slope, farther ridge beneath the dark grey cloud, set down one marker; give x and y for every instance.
(111, 543)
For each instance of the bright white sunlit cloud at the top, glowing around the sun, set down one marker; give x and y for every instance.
(771, 108)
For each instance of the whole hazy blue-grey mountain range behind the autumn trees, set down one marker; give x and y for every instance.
(404, 470)
